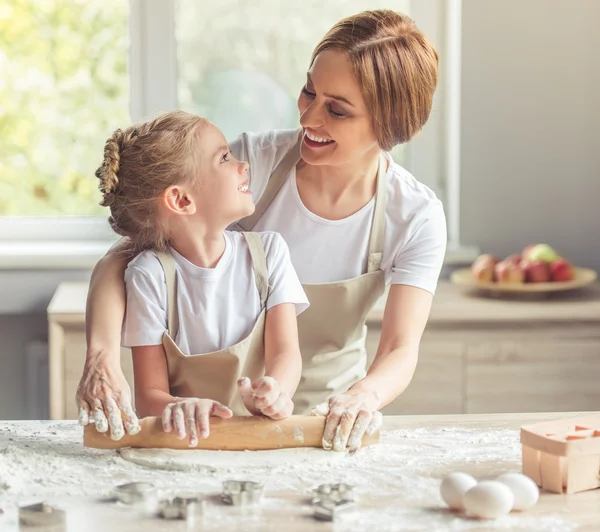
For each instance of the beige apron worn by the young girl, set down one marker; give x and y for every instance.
(215, 375)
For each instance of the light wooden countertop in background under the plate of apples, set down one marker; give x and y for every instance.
(450, 306)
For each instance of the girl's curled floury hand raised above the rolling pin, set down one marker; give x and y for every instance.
(265, 396)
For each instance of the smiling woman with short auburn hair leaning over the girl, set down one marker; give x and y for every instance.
(353, 219)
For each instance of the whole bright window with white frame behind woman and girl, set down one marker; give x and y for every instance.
(74, 70)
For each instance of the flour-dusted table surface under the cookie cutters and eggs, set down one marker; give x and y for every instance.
(397, 480)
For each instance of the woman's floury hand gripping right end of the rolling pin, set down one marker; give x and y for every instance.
(349, 416)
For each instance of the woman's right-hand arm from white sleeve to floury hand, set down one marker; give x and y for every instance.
(415, 273)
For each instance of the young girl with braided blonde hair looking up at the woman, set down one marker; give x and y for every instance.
(211, 314)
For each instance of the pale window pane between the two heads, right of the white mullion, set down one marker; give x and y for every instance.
(242, 63)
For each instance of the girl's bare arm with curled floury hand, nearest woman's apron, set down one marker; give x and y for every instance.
(272, 394)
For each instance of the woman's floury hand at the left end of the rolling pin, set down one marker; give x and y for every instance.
(104, 398)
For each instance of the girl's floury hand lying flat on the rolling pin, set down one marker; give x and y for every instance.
(190, 416)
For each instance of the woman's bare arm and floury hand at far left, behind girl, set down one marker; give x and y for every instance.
(103, 393)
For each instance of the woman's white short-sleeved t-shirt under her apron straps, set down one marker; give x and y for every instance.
(334, 250)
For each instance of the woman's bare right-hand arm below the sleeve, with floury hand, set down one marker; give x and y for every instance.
(405, 316)
